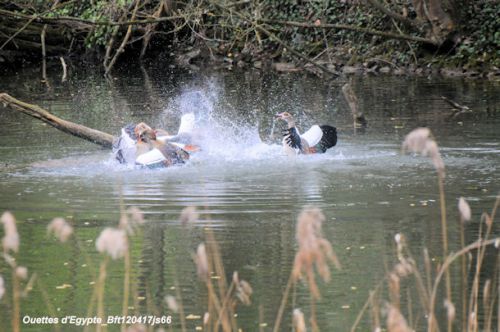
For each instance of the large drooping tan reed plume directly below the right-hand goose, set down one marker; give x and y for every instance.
(314, 250)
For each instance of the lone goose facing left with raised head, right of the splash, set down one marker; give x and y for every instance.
(317, 139)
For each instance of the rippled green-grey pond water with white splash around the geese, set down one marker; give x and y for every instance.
(246, 191)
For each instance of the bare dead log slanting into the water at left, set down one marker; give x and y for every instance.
(89, 134)
